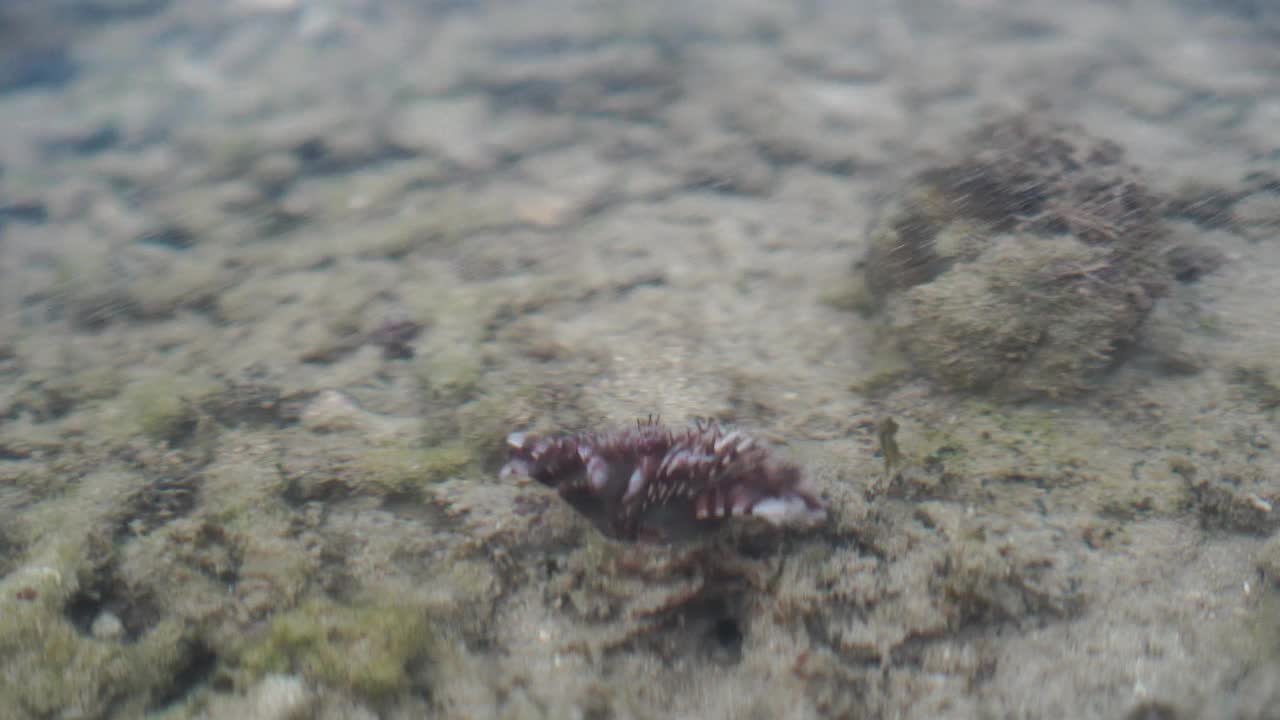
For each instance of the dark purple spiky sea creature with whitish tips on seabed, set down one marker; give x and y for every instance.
(655, 485)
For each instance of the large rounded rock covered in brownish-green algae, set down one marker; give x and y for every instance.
(1025, 266)
